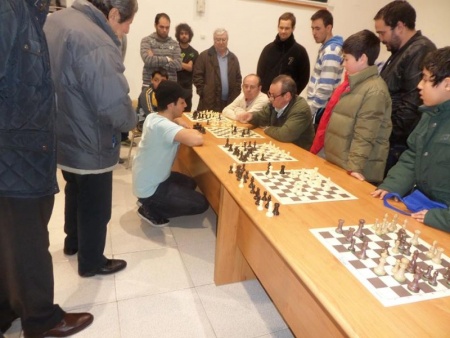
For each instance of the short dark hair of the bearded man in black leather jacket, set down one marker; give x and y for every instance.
(395, 11)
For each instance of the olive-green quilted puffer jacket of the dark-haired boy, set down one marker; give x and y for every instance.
(357, 136)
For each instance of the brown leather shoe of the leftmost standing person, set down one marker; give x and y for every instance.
(70, 324)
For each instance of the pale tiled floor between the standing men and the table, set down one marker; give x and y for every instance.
(167, 289)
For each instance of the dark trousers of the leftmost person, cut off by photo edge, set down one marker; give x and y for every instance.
(26, 270)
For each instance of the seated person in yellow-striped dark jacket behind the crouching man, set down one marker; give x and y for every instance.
(147, 101)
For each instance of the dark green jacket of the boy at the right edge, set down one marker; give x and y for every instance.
(426, 164)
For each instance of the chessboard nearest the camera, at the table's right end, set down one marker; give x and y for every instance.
(385, 288)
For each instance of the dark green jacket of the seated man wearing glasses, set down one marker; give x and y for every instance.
(294, 125)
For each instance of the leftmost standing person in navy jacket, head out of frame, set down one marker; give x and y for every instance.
(28, 176)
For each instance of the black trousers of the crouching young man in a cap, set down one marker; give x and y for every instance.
(175, 197)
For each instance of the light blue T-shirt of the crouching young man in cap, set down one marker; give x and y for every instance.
(155, 155)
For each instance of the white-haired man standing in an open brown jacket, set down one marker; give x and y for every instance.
(217, 74)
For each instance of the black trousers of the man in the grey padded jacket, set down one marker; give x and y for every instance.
(86, 215)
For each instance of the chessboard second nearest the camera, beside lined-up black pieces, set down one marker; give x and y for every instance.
(301, 186)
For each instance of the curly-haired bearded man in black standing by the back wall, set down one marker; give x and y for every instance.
(184, 35)
